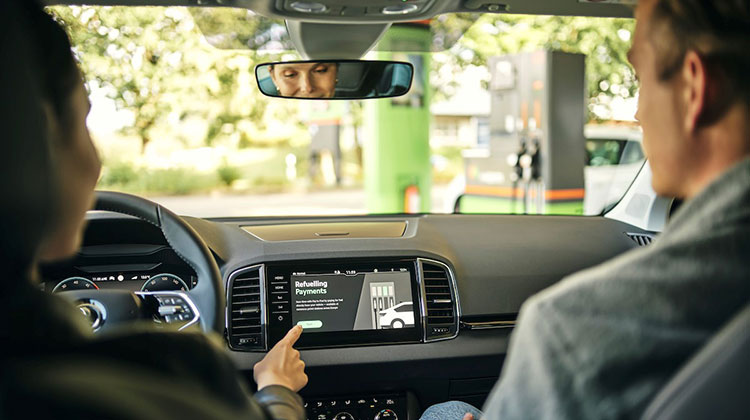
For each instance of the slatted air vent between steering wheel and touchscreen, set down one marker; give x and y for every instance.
(245, 313)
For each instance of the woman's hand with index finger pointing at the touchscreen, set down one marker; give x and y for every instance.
(282, 365)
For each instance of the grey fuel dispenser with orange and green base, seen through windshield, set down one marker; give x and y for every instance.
(536, 151)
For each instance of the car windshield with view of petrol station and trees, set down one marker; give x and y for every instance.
(517, 114)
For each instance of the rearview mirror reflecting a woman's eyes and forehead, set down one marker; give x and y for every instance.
(334, 79)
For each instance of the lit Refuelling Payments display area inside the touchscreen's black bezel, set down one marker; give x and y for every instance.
(352, 301)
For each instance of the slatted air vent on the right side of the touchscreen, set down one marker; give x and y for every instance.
(440, 303)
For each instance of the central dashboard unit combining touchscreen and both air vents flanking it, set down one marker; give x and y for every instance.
(342, 303)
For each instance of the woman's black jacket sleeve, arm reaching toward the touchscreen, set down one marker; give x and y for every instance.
(50, 369)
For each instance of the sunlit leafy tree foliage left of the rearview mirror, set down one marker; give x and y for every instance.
(156, 63)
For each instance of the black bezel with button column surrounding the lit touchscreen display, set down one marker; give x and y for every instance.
(277, 328)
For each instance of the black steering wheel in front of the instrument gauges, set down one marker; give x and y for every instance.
(204, 304)
